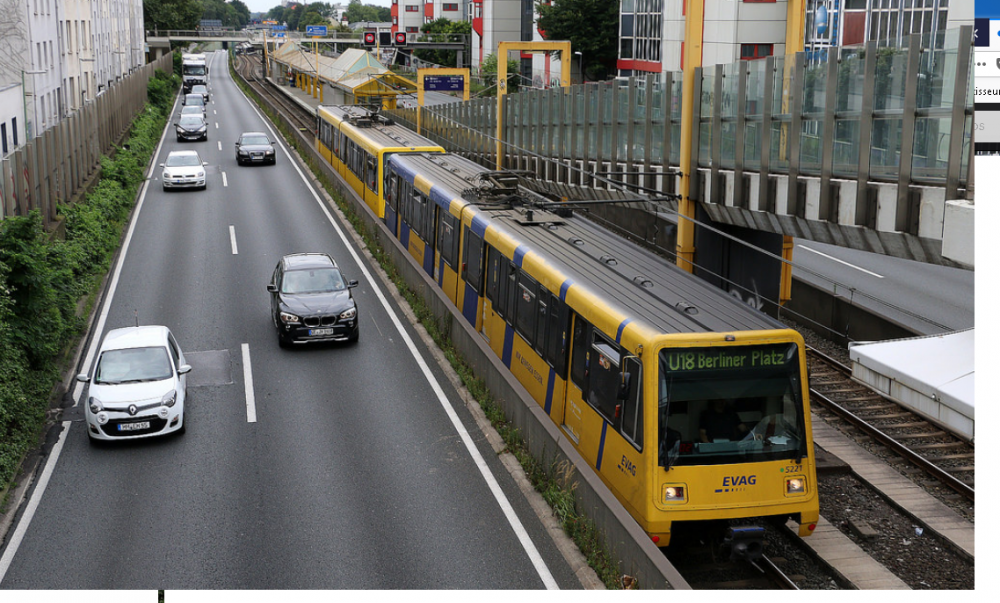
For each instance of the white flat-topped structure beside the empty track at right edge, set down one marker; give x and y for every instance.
(933, 376)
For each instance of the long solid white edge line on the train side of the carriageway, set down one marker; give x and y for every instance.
(494, 486)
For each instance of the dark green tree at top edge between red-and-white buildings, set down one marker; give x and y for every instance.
(591, 26)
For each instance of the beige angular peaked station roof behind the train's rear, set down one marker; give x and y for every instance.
(356, 71)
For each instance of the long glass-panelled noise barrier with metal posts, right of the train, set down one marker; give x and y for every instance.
(899, 114)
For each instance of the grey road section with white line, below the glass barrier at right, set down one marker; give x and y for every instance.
(926, 298)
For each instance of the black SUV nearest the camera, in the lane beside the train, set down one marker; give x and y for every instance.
(311, 300)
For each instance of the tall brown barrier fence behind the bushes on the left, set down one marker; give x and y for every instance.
(54, 166)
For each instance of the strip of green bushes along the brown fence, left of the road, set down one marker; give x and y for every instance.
(42, 279)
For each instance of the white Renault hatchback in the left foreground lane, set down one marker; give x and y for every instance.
(138, 387)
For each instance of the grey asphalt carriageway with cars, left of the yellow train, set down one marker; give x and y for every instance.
(352, 474)
